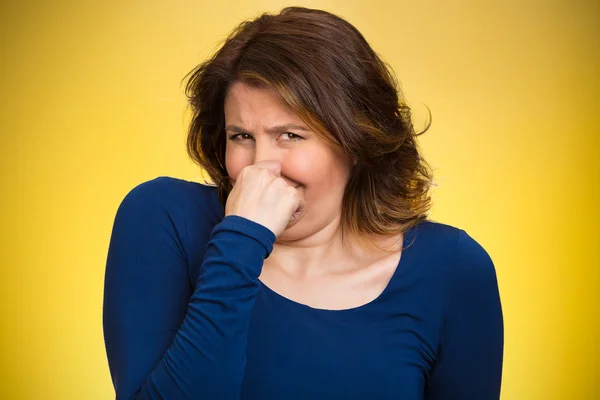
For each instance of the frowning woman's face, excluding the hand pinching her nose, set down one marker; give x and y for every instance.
(320, 170)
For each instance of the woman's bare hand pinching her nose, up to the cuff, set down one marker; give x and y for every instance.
(261, 195)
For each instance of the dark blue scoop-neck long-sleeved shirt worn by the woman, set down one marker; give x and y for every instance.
(186, 317)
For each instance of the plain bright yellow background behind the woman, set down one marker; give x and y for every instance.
(92, 104)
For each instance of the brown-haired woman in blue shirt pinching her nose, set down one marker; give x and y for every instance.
(310, 271)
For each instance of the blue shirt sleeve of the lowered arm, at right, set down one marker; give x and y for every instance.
(469, 366)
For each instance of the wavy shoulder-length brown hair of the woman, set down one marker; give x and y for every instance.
(324, 71)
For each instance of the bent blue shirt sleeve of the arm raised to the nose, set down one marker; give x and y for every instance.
(163, 338)
